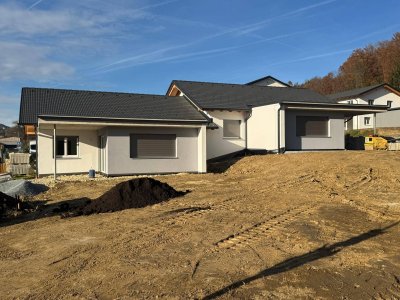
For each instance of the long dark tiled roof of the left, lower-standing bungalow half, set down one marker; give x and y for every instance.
(37, 102)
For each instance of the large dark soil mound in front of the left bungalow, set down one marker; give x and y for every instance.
(134, 193)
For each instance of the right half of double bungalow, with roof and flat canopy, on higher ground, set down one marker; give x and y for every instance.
(268, 118)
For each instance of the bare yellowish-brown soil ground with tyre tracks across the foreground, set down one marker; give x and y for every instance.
(304, 226)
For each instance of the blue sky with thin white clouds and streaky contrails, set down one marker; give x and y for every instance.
(141, 46)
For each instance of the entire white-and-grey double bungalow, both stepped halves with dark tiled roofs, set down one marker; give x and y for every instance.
(122, 133)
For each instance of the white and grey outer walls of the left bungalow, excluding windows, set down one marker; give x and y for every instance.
(191, 151)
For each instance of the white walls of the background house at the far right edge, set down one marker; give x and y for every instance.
(381, 96)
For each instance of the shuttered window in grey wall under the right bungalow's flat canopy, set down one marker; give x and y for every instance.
(312, 126)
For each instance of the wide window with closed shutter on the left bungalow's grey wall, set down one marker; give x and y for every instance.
(153, 146)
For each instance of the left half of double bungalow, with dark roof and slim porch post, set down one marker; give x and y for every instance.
(114, 133)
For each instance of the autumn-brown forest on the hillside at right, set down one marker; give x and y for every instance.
(373, 64)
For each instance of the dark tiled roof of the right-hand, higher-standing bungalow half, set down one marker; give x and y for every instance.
(209, 95)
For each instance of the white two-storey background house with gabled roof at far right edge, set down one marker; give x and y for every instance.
(380, 94)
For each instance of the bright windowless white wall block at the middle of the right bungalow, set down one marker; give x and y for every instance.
(262, 128)
